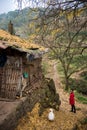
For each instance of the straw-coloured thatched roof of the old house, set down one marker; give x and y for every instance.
(8, 40)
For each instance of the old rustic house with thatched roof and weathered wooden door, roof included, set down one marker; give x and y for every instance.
(20, 65)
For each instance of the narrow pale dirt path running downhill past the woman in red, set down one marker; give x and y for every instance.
(65, 96)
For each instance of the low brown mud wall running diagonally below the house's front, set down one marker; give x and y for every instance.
(25, 105)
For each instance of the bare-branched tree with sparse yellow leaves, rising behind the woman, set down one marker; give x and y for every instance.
(61, 26)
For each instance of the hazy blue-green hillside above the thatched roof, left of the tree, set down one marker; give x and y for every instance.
(20, 21)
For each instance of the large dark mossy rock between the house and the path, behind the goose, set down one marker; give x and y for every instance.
(50, 97)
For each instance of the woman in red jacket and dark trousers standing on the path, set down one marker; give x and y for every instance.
(72, 101)
